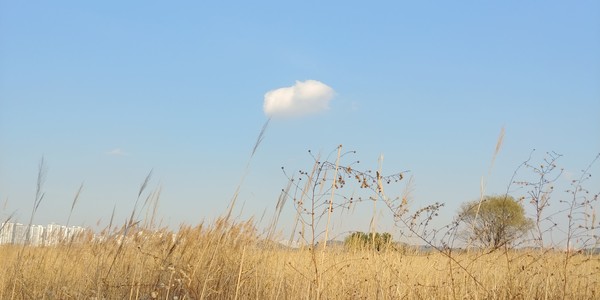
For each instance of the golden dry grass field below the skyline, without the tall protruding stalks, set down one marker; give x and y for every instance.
(226, 260)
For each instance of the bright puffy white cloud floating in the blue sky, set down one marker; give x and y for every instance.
(303, 98)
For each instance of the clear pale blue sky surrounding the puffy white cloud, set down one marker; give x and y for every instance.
(107, 91)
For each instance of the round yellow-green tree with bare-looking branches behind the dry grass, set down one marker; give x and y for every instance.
(495, 222)
